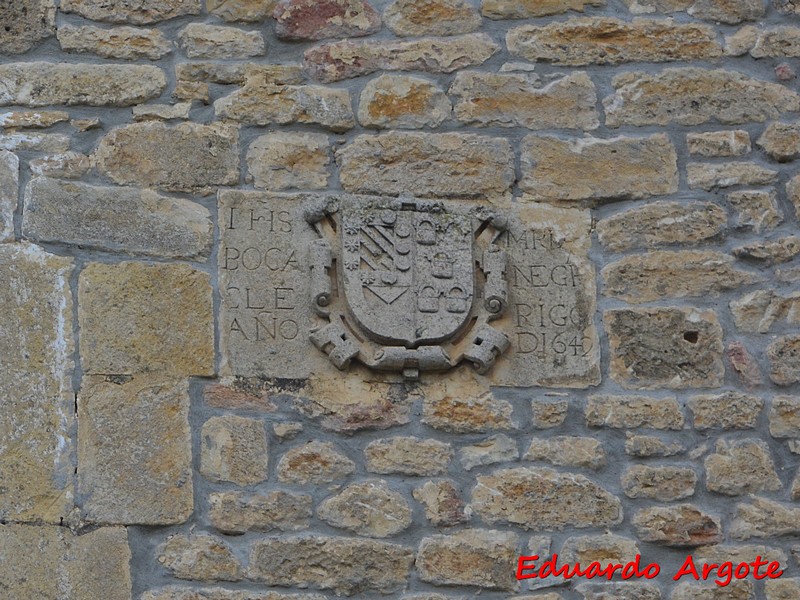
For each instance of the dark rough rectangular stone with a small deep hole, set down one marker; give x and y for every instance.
(654, 348)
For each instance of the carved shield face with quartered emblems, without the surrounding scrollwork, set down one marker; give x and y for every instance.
(407, 274)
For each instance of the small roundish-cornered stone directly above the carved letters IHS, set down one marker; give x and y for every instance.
(281, 161)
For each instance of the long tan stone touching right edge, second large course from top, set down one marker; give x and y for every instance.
(691, 96)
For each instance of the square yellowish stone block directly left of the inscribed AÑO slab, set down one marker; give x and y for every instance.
(144, 318)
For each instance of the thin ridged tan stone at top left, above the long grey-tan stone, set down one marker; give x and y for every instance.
(126, 43)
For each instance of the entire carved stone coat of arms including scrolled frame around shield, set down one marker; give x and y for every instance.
(406, 285)
